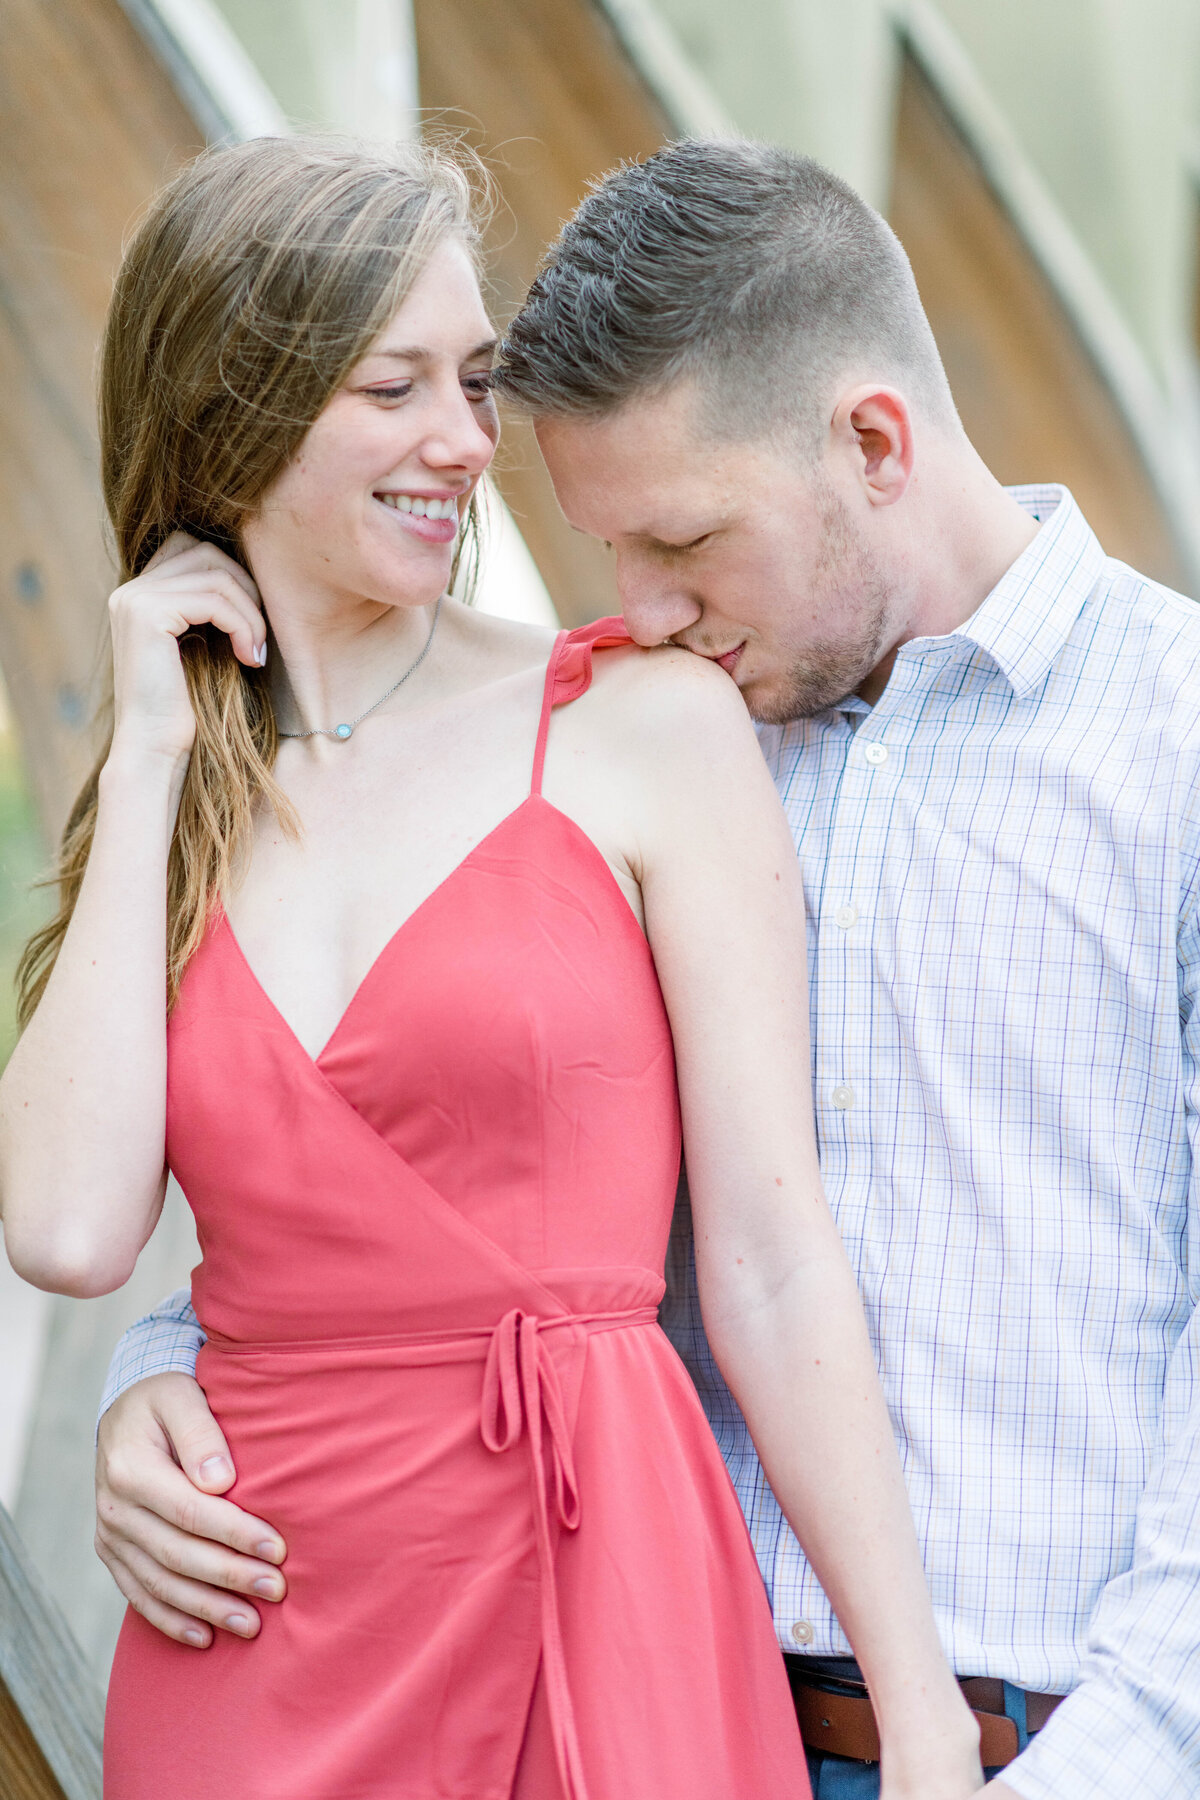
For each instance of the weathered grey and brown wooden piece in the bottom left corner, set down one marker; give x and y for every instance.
(49, 1704)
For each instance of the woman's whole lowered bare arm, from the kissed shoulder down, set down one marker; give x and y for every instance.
(726, 922)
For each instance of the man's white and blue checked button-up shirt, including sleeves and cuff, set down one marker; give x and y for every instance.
(1003, 865)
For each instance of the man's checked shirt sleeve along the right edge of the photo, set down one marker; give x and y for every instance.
(1133, 1727)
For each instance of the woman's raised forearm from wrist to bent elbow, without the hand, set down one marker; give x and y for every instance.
(84, 1097)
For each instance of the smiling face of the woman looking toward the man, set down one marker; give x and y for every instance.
(370, 508)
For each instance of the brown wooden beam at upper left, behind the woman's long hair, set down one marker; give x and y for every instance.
(89, 129)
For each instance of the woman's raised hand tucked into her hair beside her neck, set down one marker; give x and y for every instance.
(183, 586)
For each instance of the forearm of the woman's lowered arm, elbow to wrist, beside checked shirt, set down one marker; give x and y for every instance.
(793, 1344)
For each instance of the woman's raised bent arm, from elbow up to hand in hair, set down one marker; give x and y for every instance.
(84, 1097)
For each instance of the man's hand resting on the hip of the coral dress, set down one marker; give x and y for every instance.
(175, 1551)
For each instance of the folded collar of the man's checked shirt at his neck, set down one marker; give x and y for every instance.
(1028, 616)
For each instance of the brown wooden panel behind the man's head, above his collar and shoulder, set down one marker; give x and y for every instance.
(1030, 397)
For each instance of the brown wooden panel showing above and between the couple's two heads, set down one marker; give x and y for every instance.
(546, 93)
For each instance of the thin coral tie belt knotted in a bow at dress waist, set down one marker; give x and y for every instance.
(523, 1392)
